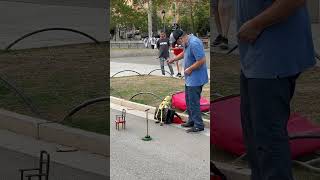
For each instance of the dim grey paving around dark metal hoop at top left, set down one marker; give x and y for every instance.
(20, 17)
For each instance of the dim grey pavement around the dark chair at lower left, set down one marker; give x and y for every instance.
(18, 151)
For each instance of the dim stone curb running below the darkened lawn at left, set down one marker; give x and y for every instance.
(55, 133)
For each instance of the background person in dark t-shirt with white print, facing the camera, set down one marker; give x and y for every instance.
(163, 45)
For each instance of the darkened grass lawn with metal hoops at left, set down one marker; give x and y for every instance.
(56, 79)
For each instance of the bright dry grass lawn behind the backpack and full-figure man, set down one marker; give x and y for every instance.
(126, 87)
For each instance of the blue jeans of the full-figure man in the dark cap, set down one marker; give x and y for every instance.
(193, 94)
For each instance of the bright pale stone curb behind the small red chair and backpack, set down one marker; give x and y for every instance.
(142, 107)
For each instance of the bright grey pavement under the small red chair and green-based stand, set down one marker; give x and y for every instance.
(173, 154)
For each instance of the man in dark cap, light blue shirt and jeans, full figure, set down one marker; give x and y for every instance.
(196, 75)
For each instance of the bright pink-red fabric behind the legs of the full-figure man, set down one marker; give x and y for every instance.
(179, 102)
